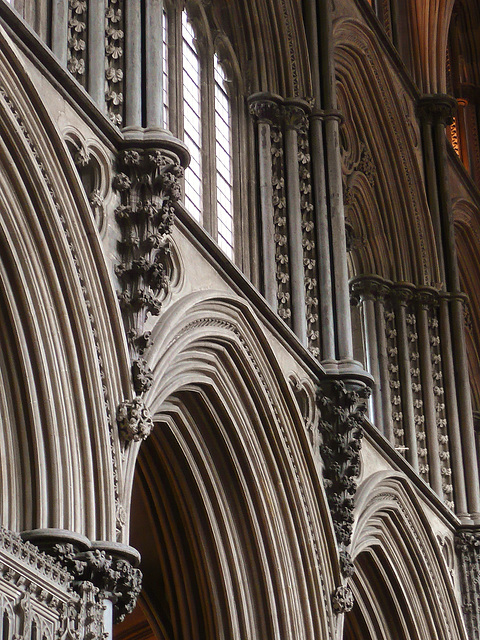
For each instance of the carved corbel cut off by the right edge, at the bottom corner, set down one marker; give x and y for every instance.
(467, 544)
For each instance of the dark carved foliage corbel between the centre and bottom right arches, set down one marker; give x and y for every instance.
(342, 407)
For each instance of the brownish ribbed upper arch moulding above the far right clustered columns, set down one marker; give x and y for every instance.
(386, 158)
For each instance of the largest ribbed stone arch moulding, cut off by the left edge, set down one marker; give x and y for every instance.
(63, 366)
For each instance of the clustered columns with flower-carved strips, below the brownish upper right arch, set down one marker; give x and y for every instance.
(408, 348)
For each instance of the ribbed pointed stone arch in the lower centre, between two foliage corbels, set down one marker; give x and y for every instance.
(223, 409)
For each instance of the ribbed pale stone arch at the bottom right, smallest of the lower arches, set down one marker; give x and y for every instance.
(393, 537)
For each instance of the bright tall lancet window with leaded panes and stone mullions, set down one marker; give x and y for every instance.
(195, 81)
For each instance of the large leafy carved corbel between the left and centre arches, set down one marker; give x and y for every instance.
(148, 186)
